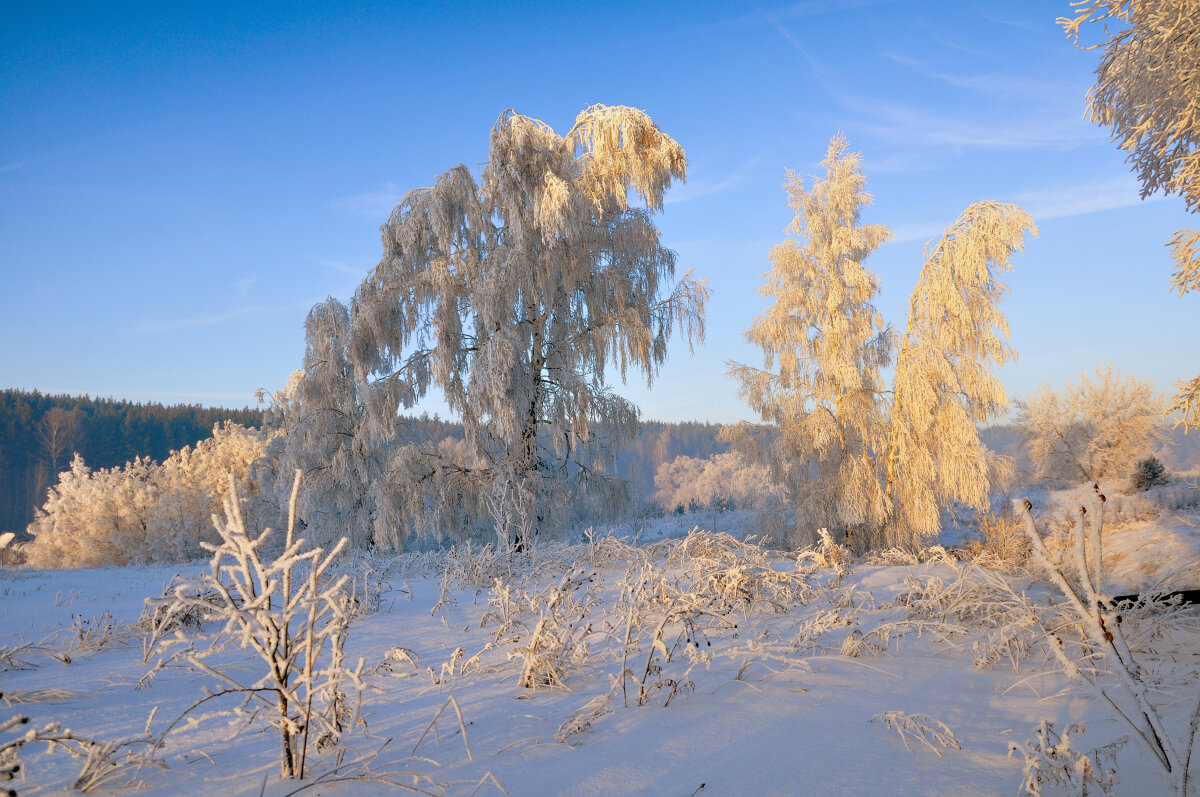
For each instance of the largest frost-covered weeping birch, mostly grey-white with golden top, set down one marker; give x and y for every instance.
(517, 296)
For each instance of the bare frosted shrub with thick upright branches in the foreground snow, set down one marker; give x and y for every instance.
(293, 619)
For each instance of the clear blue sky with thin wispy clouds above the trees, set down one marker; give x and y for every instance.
(181, 183)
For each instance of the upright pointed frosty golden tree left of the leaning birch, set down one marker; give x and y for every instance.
(825, 345)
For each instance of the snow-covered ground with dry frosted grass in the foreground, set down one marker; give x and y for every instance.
(772, 678)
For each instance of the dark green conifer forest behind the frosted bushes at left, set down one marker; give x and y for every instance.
(41, 434)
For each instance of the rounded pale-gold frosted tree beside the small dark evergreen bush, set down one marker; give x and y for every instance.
(1096, 429)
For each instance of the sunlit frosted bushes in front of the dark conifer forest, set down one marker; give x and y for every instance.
(142, 512)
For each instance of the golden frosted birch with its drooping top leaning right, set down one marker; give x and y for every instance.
(944, 380)
